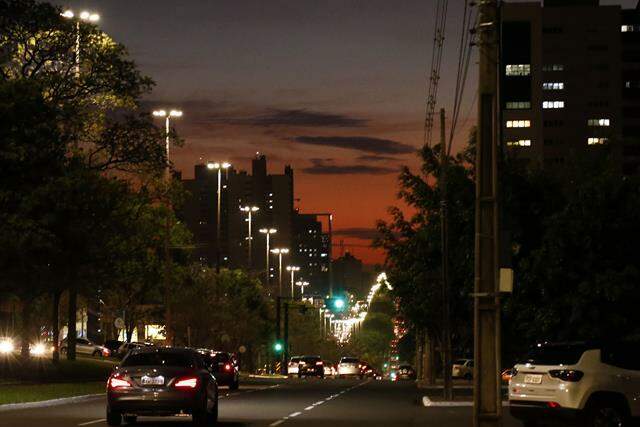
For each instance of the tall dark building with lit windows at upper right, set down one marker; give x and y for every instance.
(570, 81)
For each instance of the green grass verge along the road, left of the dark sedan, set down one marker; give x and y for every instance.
(39, 392)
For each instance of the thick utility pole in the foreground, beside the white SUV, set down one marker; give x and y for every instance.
(487, 405)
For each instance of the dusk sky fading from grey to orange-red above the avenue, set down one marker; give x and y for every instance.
(335, 88)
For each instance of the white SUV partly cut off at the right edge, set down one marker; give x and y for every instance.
(598, 384)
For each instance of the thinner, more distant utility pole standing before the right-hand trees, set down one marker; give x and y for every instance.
(446, 317)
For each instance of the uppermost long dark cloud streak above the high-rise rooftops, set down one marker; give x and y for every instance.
(279, 117)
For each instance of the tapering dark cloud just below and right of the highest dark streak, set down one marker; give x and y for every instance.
(361, 143)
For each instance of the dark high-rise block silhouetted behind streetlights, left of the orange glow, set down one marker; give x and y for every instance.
(271, 193)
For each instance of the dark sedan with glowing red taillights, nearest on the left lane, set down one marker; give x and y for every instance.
(162, 381)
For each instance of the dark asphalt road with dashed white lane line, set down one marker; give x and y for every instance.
(333, 403)
